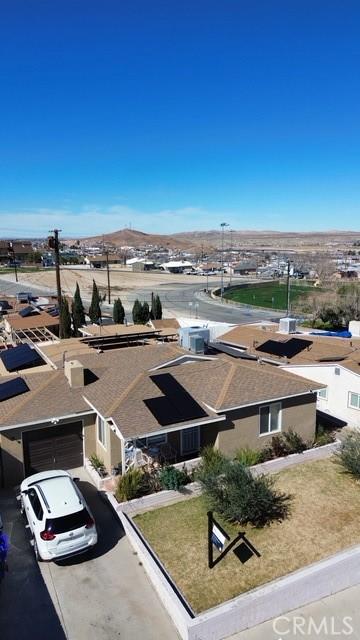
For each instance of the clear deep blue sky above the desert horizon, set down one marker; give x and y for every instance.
(178, 115)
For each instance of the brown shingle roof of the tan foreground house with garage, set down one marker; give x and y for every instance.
(124, 387)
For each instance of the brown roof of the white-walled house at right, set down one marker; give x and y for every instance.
(315, 348)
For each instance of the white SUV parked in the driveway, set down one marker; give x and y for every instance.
(59, 519)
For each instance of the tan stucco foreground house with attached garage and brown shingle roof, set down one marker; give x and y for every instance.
(154, 395)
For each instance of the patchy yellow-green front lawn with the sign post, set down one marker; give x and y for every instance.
(325, 519)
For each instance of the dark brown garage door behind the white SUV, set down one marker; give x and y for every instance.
(57, 447)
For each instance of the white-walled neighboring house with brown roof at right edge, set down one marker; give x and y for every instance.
(330, 361)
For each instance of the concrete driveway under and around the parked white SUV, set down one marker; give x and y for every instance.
(101, 596)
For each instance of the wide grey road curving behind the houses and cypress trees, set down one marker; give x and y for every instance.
(178, 300)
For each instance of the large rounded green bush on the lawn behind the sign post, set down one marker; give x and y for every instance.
(240, 497)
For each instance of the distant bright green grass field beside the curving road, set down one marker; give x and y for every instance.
(271, 295)
